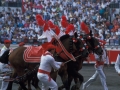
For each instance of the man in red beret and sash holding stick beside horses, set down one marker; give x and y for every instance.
(46, 64)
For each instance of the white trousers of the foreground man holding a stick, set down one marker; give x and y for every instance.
(46, 84)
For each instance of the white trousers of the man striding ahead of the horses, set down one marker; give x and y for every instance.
(99, 72)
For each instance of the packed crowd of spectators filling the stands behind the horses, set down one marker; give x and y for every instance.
(20, 26)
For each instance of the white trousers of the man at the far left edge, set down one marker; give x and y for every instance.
(4, 68)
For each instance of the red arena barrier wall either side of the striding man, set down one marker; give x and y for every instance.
(112, 54)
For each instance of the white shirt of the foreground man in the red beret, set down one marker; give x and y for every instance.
(48, 62)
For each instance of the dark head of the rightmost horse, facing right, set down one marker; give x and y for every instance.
(93, 44)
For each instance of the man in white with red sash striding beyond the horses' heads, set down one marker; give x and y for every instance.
(100, 60)
